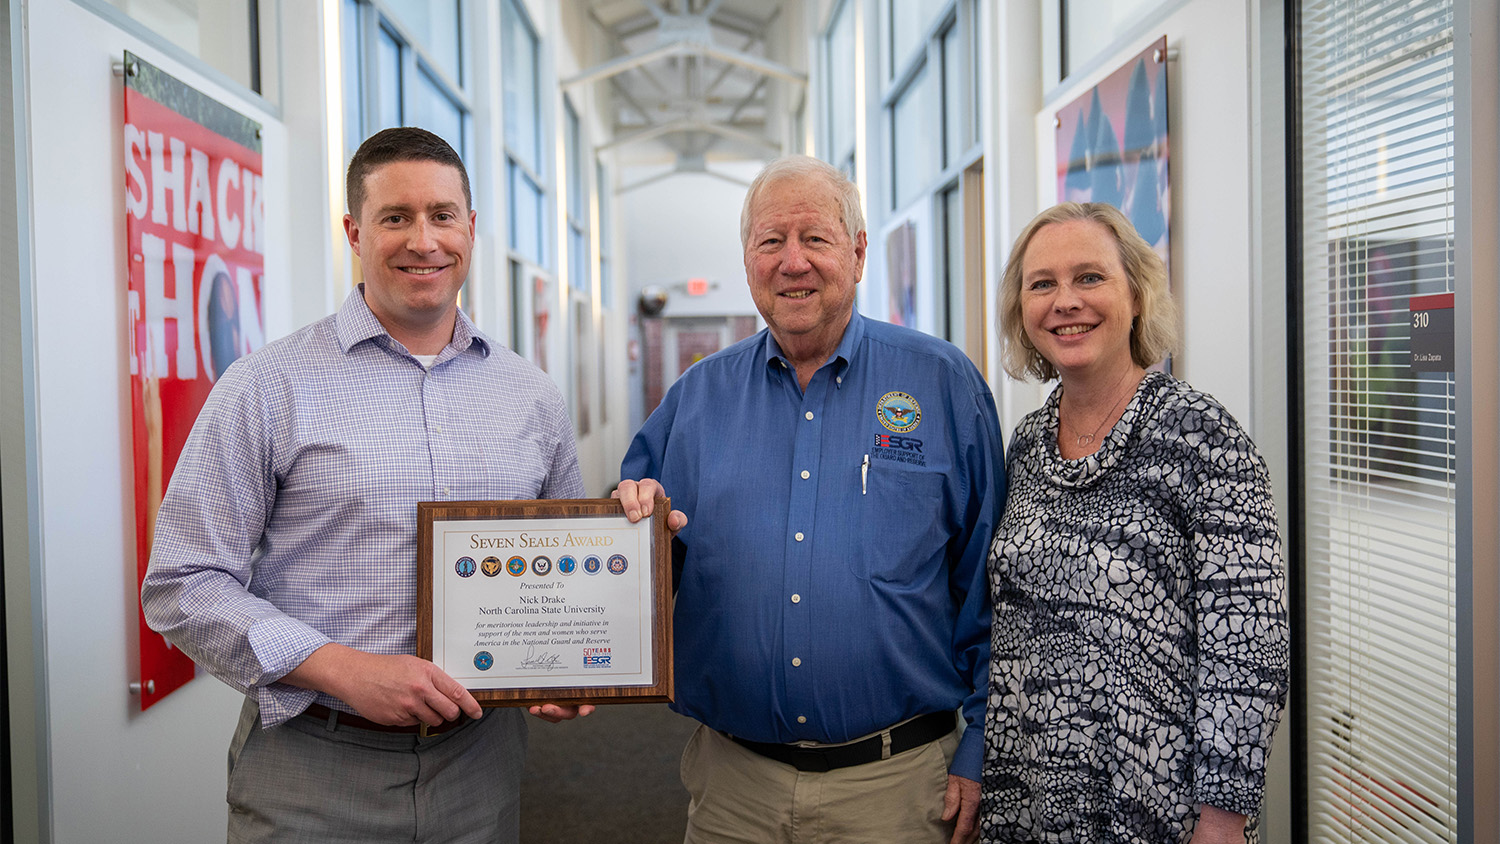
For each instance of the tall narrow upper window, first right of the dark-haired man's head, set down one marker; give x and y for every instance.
(523, 101)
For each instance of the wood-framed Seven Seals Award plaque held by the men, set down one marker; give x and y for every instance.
(547, 602)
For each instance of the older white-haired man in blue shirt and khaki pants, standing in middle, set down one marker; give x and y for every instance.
(842, 480)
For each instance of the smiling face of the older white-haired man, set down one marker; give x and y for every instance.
(803, 266)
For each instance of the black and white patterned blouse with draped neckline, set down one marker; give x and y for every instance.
(1141, 629)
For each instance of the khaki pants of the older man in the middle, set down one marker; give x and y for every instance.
(745, 798)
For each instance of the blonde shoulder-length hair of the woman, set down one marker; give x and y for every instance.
(1153, 337)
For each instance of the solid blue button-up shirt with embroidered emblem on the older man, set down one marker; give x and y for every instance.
(832, 573)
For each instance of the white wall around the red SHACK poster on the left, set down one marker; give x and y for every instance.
(119, 774)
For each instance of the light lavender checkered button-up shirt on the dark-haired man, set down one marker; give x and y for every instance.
(292, 516)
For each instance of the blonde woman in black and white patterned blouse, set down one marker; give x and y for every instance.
(1139, 650)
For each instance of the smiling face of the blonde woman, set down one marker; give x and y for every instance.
(1078, 305)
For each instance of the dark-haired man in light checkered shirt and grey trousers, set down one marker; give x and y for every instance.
(284, 555)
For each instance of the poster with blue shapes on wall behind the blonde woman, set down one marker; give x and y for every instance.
(1112, 146)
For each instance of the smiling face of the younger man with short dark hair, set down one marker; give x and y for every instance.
(415, 241)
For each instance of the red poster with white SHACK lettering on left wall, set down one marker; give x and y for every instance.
(196, 245)
